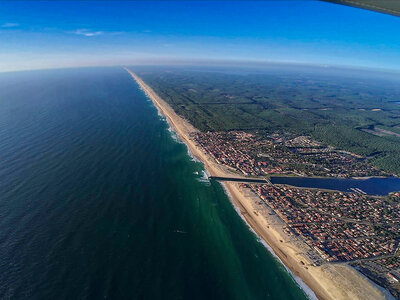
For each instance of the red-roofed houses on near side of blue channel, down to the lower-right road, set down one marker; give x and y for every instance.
(339, 226)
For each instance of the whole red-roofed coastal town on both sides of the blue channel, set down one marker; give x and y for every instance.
(337, 227)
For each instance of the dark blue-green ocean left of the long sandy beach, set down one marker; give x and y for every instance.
(99, 201)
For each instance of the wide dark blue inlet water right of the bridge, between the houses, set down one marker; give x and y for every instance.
(371, 186)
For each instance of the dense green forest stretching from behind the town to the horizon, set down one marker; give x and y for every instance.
(358, 112)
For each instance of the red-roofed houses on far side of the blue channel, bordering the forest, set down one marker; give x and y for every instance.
(261, 153)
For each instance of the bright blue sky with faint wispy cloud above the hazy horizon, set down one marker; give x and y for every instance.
(64, 34)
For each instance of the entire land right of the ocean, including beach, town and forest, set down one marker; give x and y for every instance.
(304, 122)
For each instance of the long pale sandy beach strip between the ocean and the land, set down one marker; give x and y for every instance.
(330, 281)
